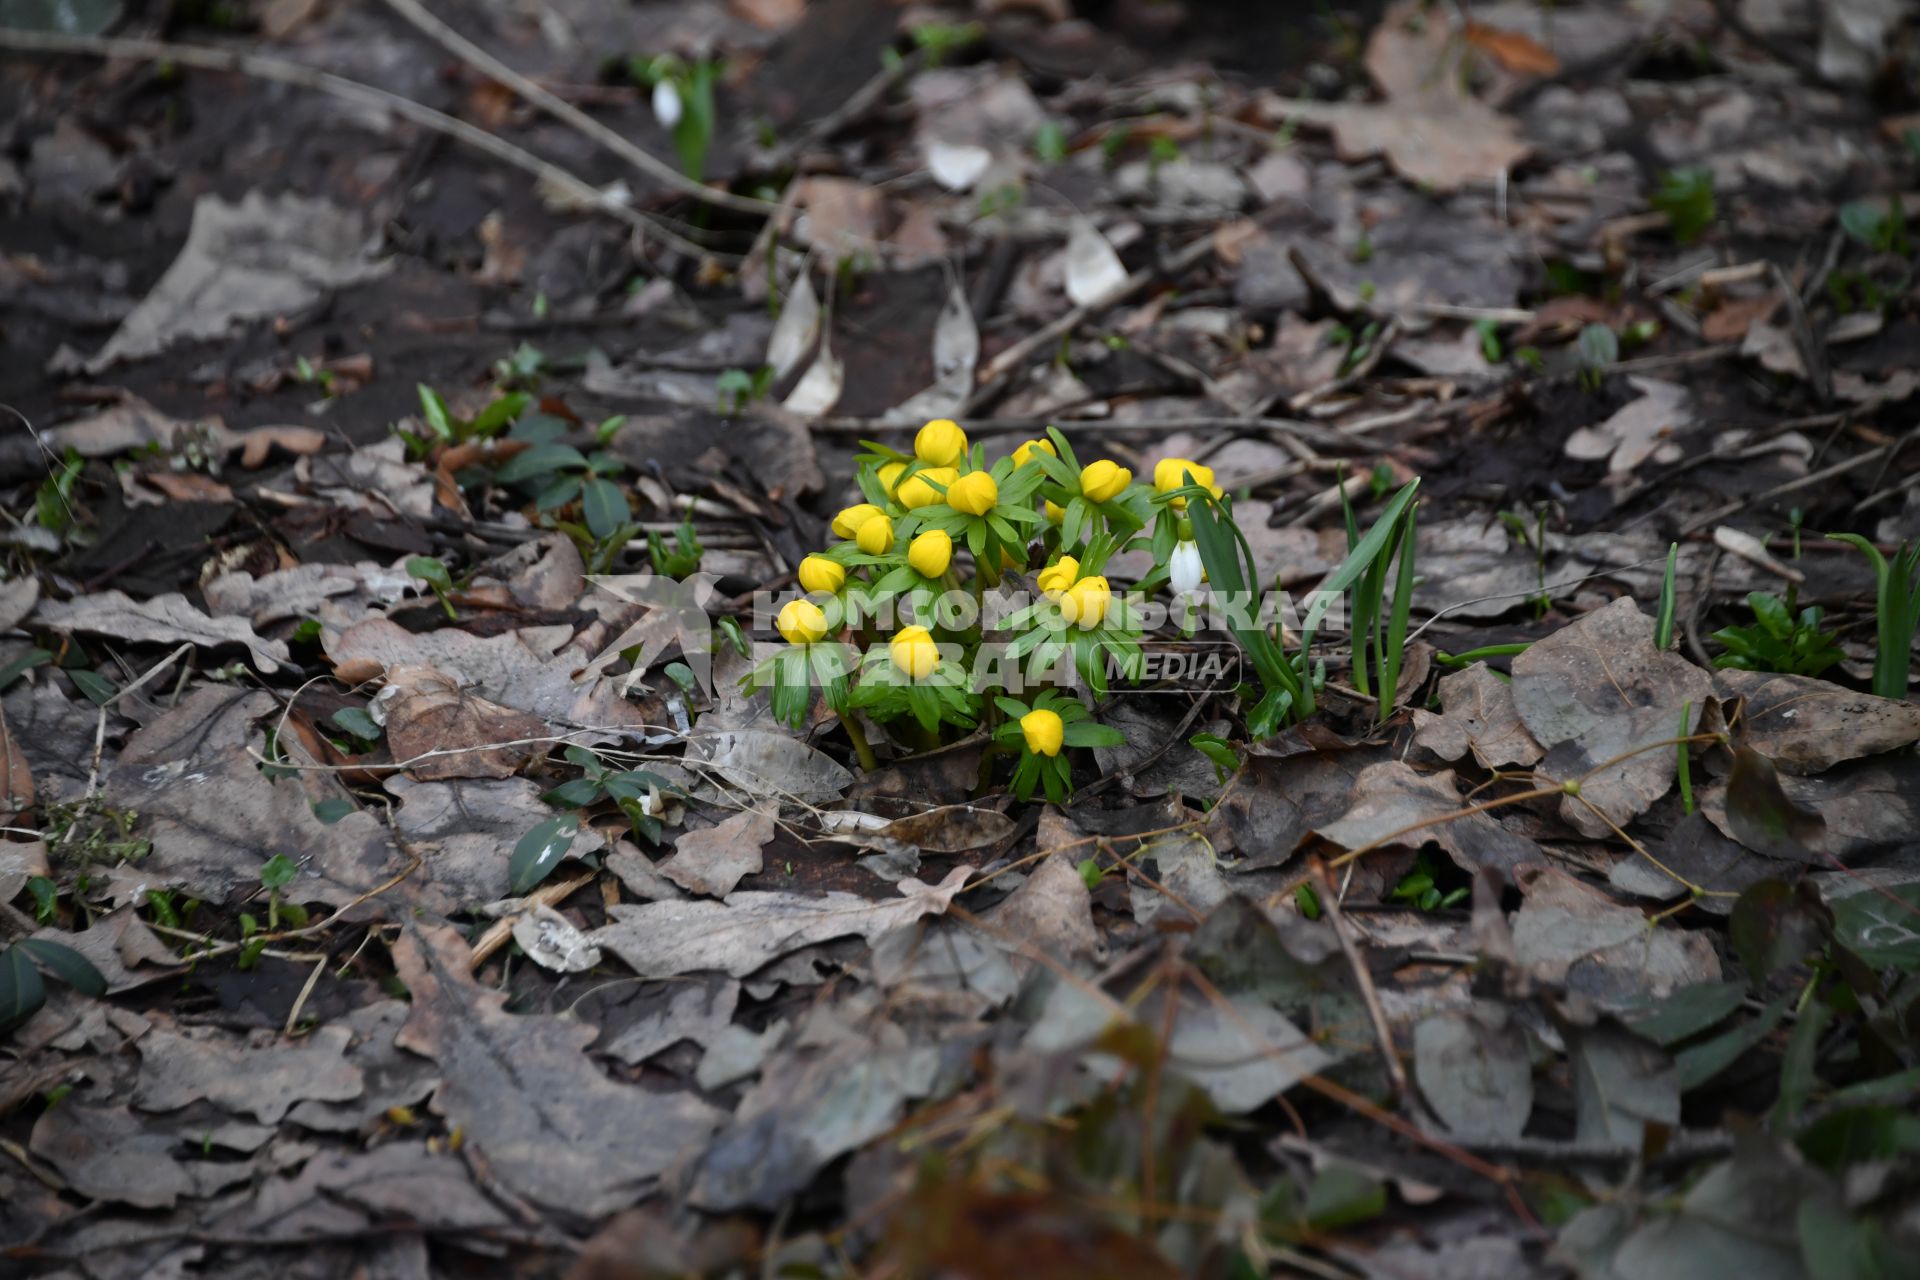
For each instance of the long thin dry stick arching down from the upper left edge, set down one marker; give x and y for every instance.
(352, 91)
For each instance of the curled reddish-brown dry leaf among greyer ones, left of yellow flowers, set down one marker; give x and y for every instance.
(458, 732)
